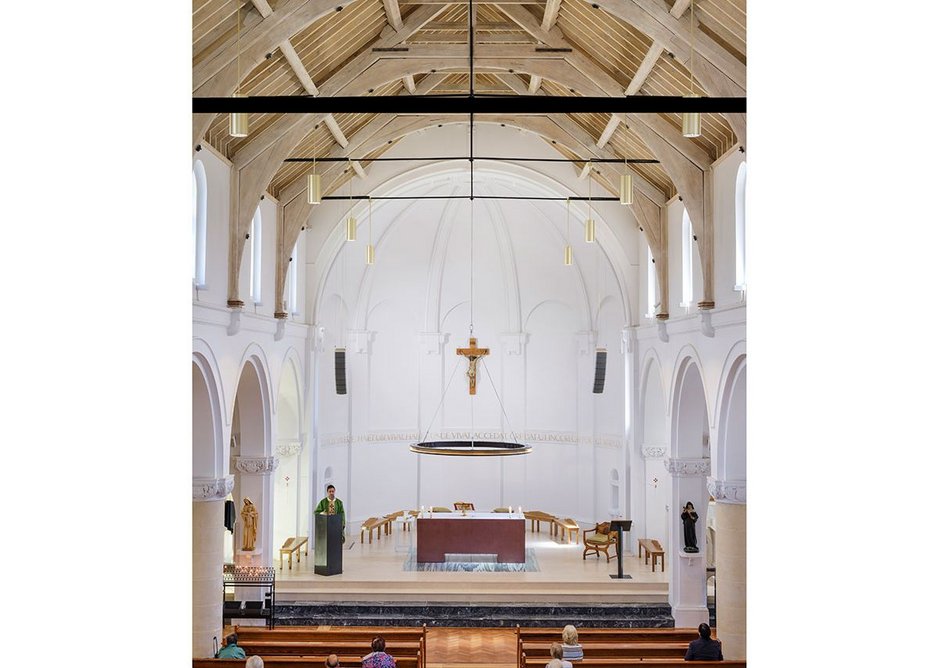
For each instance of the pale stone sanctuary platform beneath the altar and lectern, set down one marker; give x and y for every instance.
(554, 573)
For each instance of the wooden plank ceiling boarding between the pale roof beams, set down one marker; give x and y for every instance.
(614, 47)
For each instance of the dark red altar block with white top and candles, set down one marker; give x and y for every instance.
(501, 534)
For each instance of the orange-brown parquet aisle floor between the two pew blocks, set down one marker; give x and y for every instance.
(478, 648)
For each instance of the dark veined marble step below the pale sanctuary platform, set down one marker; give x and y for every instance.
(397, 613)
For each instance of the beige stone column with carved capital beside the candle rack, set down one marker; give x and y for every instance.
(208, 528)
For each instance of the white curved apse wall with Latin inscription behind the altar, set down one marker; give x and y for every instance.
(401, 320)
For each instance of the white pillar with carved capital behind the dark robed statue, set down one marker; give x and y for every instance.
(688, 586)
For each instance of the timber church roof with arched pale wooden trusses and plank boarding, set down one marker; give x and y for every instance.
(552, 48)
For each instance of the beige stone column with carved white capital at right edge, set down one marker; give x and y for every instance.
(730, 499)
